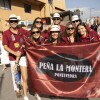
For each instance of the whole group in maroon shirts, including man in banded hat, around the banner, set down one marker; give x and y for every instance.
(13, 41)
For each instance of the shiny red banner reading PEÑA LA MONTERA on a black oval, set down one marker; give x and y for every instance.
(68, 70)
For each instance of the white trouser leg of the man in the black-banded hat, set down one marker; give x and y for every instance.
(12, 63)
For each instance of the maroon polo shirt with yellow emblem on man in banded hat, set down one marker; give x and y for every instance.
(14, 41)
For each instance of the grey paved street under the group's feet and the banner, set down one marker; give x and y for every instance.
(6, 88)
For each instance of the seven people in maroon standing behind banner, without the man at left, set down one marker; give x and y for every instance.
(73, 32)
